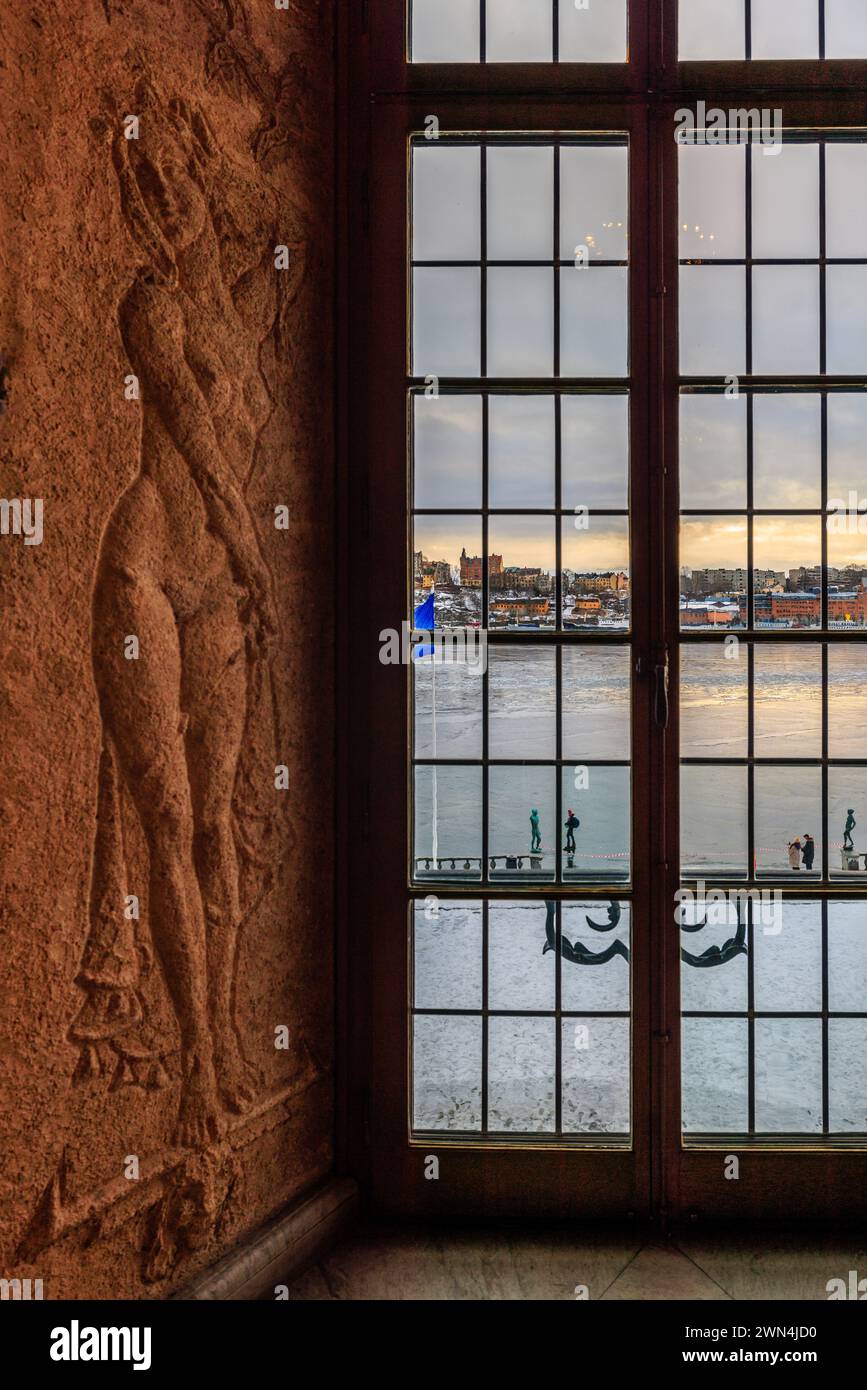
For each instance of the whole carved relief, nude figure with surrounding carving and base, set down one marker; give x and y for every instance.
(192, 846)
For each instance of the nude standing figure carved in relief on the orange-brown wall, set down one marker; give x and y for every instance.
(181, 568)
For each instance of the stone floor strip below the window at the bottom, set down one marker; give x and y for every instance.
(473, 1263)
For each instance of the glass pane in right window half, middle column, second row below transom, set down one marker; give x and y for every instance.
(786, 320)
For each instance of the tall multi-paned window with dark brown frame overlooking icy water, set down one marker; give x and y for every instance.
(618, 414)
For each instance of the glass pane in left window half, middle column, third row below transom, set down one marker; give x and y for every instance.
(522, 458)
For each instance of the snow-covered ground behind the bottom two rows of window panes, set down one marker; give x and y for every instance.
(522, 1050)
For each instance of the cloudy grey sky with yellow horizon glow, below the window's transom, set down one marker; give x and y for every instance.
(520, 323)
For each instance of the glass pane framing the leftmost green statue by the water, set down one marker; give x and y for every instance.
(522, 832)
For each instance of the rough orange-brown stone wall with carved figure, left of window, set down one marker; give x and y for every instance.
(166, 633)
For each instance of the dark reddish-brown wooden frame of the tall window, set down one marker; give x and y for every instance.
(388, 99)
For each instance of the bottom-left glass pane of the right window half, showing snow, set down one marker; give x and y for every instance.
(715, 1074)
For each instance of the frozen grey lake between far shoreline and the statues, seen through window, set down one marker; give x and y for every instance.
(597, 729)
